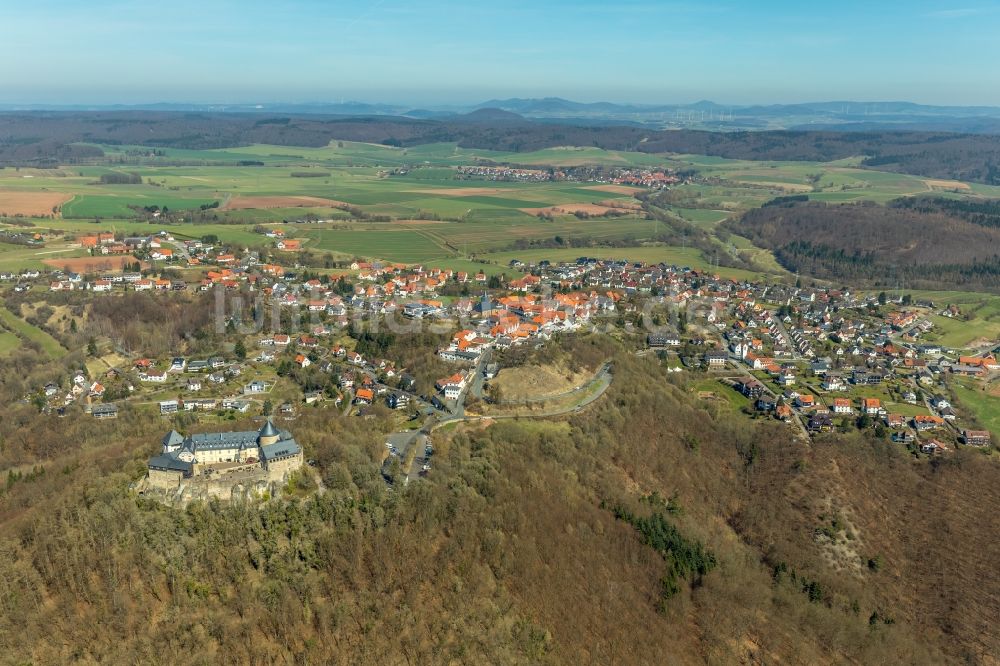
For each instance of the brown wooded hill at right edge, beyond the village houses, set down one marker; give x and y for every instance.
(925, 245)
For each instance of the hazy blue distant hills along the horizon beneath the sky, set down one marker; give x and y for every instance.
(847, 115)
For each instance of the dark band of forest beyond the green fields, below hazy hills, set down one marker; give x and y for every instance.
(47, 138)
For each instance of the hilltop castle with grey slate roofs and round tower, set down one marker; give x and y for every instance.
(240, 457)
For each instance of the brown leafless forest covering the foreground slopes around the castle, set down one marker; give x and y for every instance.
(650, 528)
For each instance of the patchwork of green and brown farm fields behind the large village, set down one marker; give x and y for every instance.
(424, 214)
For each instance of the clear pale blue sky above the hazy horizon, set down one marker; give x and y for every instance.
(437, 52)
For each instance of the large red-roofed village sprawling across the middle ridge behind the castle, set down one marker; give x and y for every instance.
(817, 358)
